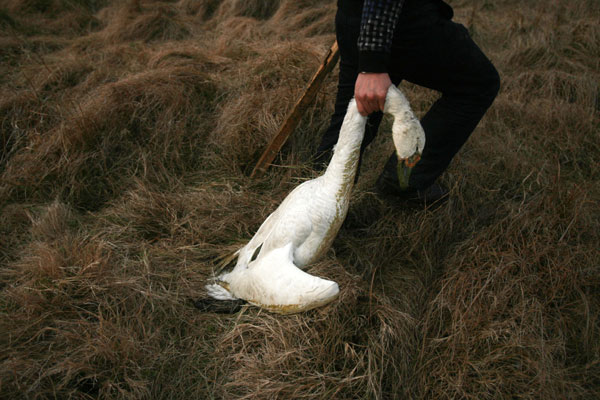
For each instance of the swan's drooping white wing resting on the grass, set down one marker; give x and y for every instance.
(276, 284)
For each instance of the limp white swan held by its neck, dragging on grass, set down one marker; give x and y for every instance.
(267, 272)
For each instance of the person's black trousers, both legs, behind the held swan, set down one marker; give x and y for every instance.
(429, 50)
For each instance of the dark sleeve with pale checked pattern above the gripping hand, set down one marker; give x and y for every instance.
(379, 18)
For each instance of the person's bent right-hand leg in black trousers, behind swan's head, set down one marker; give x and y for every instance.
(443, 57)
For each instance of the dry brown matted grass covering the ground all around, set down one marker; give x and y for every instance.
(127, 133)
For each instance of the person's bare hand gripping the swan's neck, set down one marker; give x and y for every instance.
(370, 91)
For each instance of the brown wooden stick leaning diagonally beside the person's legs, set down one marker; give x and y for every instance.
(295, 115)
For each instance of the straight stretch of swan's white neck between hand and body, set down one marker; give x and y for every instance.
(342, 168)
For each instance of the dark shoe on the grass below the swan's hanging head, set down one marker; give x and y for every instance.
(434, 195)
